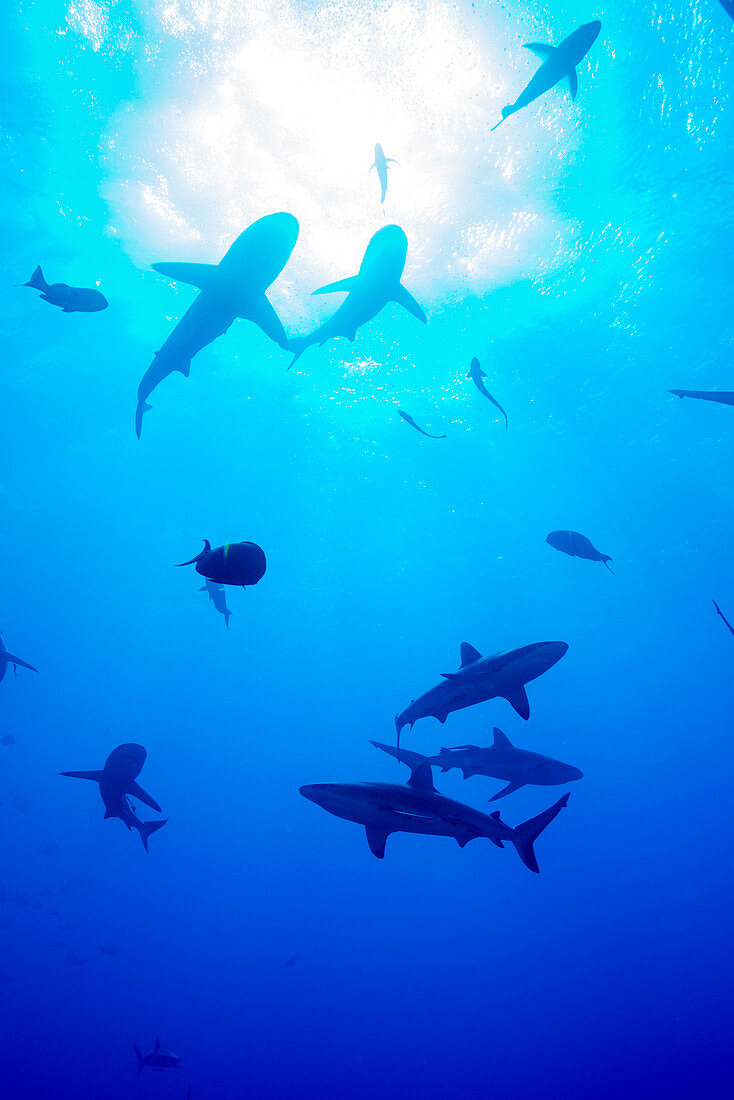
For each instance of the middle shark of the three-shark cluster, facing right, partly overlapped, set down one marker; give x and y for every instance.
(501, 761)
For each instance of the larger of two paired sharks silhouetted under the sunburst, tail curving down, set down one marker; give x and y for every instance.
(235, 288)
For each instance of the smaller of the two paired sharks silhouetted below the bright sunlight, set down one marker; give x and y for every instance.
(377, 283)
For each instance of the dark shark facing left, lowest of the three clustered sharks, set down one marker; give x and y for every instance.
(418, 808)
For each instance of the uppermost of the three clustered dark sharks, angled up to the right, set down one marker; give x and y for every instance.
(501, 676)
